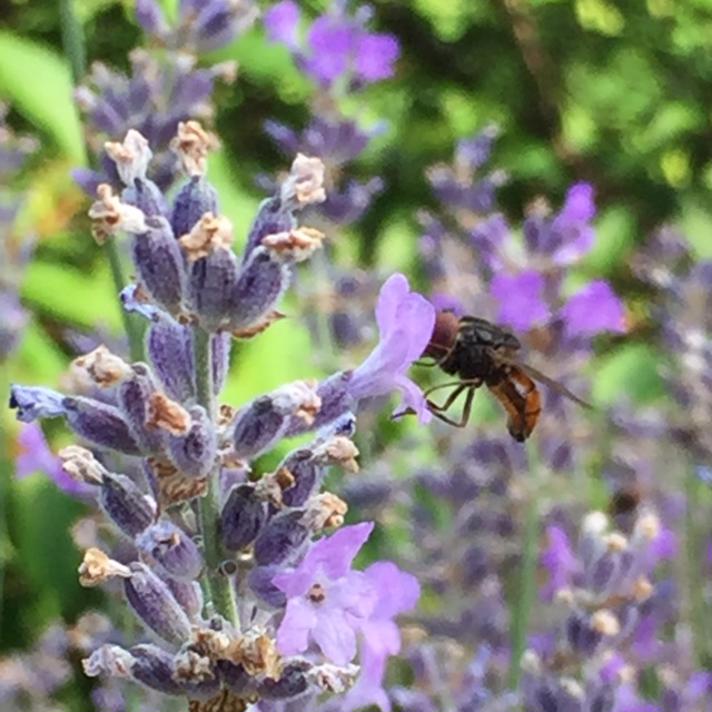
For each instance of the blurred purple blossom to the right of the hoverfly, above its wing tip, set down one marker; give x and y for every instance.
(593, 309)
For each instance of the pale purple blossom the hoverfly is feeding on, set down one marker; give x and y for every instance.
(405, 324)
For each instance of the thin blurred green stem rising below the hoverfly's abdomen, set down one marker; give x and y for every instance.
(525, 590)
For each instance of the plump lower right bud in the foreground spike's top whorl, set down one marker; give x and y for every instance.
(260, 285)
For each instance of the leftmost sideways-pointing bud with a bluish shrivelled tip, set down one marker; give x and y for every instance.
(100, 424)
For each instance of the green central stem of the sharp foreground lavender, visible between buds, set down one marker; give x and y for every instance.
(218, 585)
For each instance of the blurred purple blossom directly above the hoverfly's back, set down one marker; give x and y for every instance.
(520, 297)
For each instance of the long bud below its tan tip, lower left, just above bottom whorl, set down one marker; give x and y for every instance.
(154, 604)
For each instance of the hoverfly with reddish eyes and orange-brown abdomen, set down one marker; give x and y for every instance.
(479, 352)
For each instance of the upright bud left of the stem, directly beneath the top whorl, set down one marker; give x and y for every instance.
(170, 348)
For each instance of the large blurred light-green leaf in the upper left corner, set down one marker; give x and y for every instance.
(38, 83)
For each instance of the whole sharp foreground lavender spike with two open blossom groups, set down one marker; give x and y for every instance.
(241, 598)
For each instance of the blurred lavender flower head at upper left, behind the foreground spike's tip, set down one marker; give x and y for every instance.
(163, 88)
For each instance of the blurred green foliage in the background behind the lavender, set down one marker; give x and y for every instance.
(617, 93)
